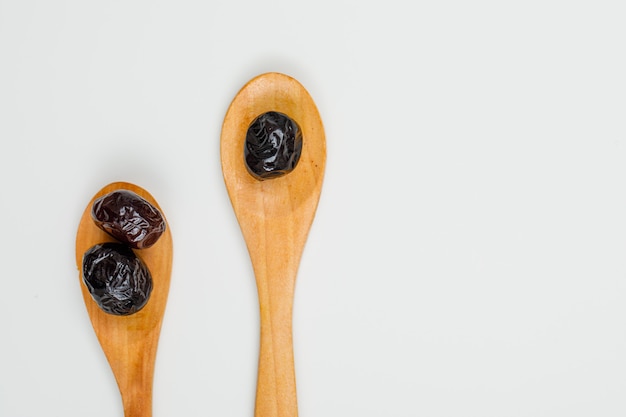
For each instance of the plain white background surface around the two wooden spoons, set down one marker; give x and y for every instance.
(468, 257)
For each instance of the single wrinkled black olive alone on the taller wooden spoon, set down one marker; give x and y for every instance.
(273, 145)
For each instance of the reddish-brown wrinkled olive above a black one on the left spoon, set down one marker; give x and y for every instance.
(129, 218)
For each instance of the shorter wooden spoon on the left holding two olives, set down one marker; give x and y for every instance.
(129, 342)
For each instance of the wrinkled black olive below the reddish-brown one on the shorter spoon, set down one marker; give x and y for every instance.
(118, 281)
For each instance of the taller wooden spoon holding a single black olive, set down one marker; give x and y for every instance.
(275, 216)
